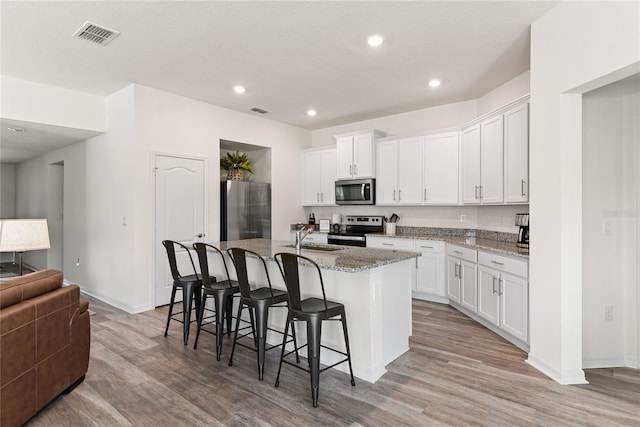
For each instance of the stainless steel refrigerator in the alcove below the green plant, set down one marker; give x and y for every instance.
(245, 210)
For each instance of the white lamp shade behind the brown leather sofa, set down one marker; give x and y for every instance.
(20, 235)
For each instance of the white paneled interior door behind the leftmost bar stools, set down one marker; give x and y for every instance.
(179, 213)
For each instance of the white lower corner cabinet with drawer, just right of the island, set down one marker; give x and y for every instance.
(430, 277)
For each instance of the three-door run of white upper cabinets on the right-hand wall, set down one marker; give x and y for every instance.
(495, 158)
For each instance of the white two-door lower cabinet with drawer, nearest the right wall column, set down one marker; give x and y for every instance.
(503, 293)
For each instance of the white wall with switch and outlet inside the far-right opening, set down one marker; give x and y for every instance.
(611, 116)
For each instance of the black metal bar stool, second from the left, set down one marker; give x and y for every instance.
(222, 292)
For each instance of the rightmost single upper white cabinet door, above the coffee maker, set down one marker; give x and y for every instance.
(516, 154)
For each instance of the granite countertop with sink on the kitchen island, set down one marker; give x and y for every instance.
(344, 258)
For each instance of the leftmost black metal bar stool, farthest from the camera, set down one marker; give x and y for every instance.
(190, 285)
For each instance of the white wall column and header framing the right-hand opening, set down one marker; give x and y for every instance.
(574, 44)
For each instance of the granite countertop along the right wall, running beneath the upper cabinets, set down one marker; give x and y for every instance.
(505, 247)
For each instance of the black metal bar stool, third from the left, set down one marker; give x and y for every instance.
(258, 299)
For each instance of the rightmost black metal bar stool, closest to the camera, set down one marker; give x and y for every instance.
(313, 311)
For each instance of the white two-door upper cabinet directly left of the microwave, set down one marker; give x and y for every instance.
(318, 177)
